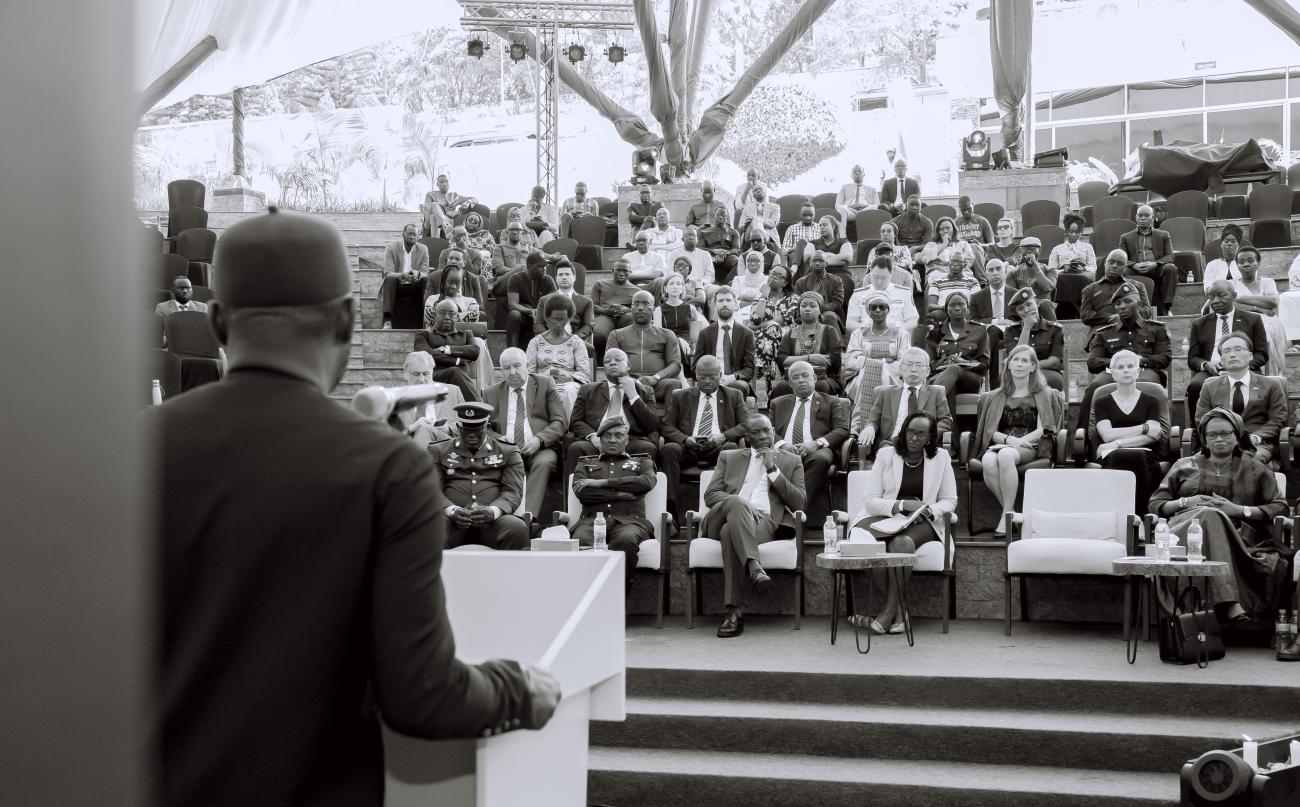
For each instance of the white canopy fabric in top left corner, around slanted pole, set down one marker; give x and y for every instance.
(261, 40)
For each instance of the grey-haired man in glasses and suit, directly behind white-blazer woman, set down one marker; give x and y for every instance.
(878, 428)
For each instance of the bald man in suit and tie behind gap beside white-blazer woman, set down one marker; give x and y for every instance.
(812, 426)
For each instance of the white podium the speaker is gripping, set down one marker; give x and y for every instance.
(564, 611)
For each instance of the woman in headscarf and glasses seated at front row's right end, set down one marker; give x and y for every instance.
(1234, 498)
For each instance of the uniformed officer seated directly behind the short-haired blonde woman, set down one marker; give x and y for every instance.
(1129, 331)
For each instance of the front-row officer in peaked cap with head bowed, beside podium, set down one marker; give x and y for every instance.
(484, 483)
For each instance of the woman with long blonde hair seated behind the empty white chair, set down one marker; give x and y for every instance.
(1016, 424)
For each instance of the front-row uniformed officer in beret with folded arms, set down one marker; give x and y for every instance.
(616, 484)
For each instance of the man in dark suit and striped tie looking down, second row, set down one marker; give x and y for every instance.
(701, 422)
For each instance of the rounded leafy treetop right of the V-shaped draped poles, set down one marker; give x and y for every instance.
(786, 131)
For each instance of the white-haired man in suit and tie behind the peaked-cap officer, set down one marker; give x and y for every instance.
(530, 414)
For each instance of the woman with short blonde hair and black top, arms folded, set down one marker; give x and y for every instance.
(1130, 433)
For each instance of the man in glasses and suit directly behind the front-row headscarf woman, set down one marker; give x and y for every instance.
(1262, 402)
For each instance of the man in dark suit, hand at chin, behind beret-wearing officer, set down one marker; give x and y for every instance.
(616, 397)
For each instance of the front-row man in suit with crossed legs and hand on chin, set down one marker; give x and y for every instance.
(755, 492)
